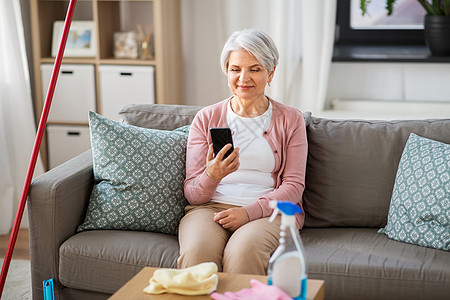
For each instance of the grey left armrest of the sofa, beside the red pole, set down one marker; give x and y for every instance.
(57, 204)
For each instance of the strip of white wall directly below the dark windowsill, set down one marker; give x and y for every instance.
(390, 81)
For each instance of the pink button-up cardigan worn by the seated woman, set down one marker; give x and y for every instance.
(286, 136)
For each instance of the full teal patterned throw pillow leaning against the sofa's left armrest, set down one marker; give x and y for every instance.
(139, 175)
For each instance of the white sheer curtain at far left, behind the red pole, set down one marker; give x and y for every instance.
(17, 129)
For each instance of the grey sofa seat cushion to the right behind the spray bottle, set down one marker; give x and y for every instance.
(358, 263)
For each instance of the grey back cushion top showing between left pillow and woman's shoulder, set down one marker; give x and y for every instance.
(158, 116)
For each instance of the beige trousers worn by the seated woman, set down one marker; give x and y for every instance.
(245, 251)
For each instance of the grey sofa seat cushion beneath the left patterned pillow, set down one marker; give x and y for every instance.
(104, 260)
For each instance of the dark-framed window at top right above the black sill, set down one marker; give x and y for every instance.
(403, 27)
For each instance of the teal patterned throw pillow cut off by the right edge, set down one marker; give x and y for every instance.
(420, 206)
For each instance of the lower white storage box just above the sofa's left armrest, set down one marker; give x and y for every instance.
(66, 142)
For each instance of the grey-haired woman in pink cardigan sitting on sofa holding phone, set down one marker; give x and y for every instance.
(227, 219)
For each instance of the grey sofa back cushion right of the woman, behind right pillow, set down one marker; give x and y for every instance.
(351, 168)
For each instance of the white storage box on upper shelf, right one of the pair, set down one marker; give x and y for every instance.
(122, 85)
